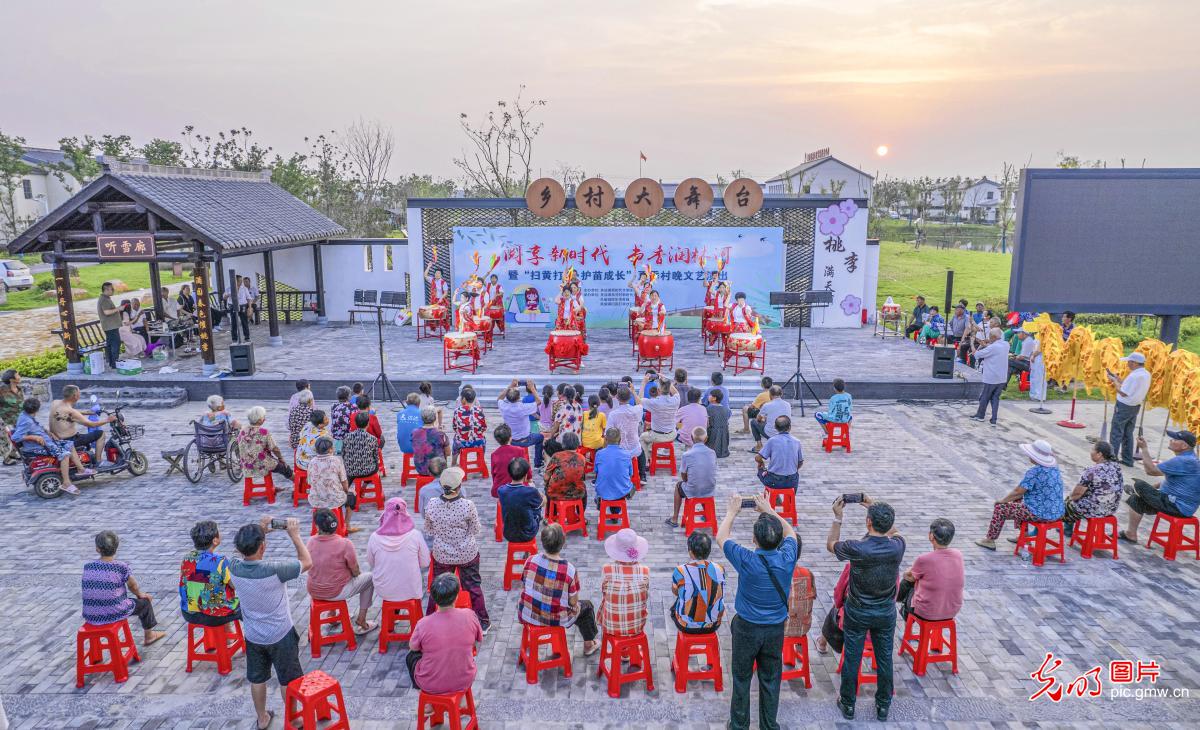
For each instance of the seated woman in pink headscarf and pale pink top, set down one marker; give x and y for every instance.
(398, 555)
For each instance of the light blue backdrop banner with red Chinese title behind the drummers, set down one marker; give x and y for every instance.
(531, 264)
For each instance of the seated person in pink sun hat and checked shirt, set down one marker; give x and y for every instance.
(625, 585)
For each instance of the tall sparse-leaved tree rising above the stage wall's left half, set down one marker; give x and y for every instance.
(500, 161)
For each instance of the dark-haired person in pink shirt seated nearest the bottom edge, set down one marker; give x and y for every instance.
(442, 651)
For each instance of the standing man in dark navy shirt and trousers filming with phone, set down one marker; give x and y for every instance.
(871, 595)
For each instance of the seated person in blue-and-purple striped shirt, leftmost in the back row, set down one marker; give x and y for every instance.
(107, 589)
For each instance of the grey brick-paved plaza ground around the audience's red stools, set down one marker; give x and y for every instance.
(928, 460)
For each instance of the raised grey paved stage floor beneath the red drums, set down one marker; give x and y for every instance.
(340, 354)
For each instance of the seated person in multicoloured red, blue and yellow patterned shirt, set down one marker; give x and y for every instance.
(206, 589)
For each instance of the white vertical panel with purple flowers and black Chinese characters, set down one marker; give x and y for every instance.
(839, 264)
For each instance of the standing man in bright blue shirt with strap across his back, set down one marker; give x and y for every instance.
(765, 578)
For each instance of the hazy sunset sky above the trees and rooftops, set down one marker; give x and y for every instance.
(703, 87)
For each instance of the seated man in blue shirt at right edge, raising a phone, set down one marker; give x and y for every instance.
(1179, 495)
